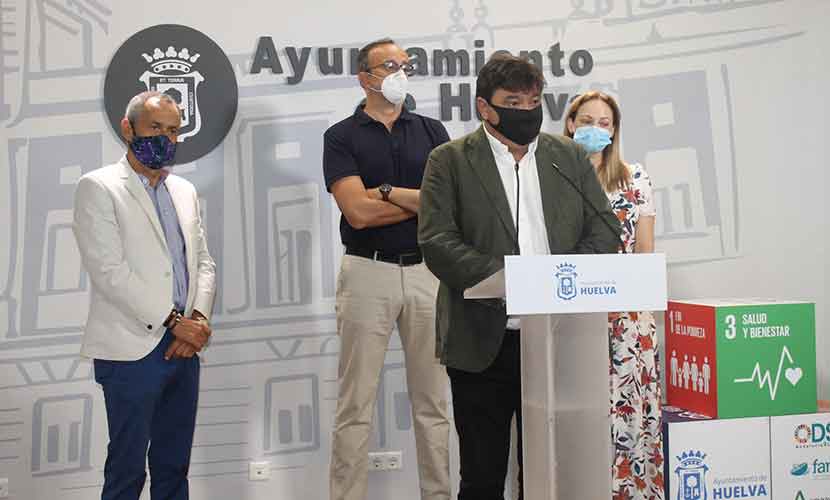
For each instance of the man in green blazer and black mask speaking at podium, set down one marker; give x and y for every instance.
(505, 189)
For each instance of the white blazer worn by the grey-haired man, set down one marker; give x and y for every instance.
(125, 253)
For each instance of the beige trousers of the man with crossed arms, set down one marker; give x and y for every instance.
(371, 298)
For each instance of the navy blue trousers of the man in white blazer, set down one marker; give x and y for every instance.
(149, 401)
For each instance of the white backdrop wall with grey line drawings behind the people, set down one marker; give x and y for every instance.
(724, 103)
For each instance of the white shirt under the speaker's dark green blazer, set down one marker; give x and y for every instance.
(533, 234)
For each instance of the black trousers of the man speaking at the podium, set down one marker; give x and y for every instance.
(483, 406)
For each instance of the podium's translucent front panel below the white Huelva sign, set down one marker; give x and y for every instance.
(565, 406)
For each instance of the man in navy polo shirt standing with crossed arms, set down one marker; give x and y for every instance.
(373, 162)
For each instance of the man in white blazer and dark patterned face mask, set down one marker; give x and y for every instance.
(142, 242)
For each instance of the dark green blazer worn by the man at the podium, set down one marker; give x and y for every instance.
(465, 229)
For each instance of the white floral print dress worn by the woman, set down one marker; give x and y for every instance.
(635, 383)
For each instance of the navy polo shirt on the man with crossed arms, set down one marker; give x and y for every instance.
(362, 146)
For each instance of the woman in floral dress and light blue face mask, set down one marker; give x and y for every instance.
(593, 120)
